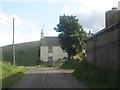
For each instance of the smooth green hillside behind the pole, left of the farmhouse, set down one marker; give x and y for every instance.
(26, 53)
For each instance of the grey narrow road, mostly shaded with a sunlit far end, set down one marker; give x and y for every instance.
(37, 77)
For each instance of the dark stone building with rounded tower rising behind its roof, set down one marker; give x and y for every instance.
(103, 48)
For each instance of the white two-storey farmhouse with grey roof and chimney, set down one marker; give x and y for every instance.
(50, 49)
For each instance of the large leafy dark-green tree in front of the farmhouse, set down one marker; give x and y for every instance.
(72, 35)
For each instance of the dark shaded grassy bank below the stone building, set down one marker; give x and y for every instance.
(92, 78)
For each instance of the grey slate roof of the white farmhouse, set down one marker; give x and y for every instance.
(50, 41)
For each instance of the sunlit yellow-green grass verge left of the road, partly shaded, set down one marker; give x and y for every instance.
(10, 74)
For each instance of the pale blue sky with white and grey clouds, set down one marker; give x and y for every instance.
(31, 15)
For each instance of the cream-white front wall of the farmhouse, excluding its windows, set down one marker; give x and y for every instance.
(57, 53)
